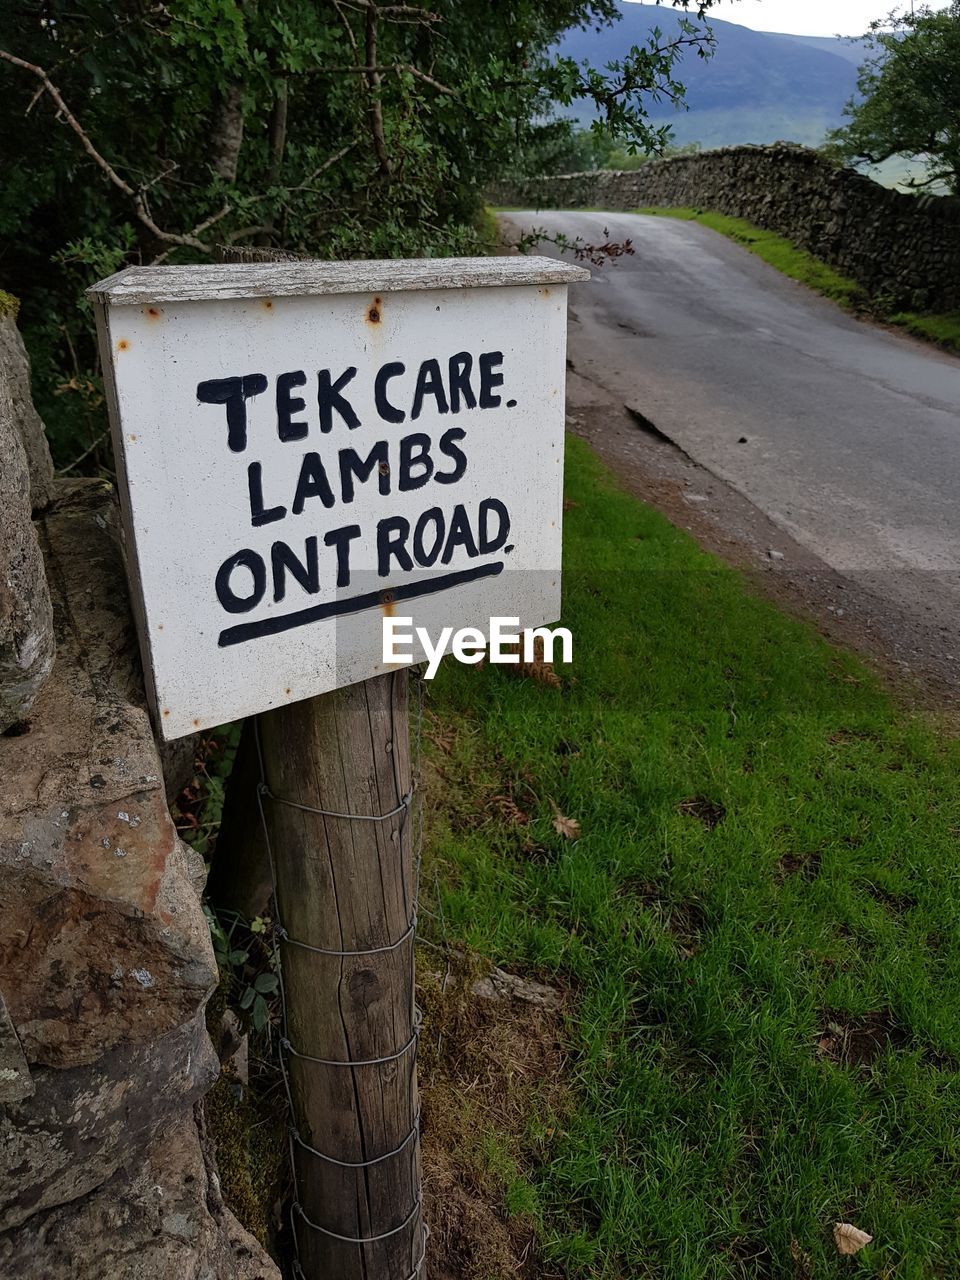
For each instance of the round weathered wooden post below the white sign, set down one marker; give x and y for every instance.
(348, 885)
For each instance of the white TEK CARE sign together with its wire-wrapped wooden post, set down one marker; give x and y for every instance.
(245, 605)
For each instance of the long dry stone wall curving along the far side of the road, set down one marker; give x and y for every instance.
(903, 249)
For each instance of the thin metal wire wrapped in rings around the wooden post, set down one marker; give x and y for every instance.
(282, 936)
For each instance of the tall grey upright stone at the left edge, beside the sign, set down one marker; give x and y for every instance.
(26, 624)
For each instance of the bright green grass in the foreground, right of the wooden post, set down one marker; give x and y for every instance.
(710, 1137)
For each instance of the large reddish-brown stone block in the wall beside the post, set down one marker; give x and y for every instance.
(104, 940)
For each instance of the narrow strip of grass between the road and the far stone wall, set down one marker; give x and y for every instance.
(801, 266)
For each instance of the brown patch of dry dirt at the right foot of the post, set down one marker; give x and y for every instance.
(492, 1073)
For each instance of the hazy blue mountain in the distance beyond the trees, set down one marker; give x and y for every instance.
(758, 86)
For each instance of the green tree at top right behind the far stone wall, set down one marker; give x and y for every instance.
(909, 95)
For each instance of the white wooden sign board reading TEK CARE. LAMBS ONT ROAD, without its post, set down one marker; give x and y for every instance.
(304, 447)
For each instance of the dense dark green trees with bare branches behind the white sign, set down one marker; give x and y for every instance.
(147, 131)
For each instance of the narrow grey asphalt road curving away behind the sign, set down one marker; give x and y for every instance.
(844, 435)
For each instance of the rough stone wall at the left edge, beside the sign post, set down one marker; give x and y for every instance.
(106, 957)
